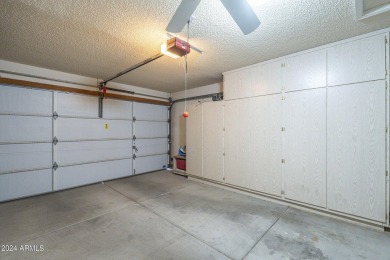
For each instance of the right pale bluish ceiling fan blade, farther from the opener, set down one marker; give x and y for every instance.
(242, 14)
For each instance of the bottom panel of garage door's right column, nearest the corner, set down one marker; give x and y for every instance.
(150, 163)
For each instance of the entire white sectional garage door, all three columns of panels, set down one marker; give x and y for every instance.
(52, 140)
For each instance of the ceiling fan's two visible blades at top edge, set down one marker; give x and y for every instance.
(240, 10)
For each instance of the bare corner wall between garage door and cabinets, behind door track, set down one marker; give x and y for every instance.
(178, 122)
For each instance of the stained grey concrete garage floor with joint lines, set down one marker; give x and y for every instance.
(165, 216)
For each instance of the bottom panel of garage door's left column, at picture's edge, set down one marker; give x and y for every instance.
(23, 184)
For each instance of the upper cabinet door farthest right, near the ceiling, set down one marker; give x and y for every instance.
(358, 61)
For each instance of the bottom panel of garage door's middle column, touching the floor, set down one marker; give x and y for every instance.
(78, 175)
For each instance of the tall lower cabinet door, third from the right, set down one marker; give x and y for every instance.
(265, 153)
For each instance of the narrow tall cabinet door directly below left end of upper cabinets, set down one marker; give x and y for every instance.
(237, 142)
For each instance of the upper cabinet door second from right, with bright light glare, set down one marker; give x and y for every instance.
(305, 71)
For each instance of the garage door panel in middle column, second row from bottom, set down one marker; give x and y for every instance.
(70, 153)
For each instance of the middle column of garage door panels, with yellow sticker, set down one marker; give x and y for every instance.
(91, 149)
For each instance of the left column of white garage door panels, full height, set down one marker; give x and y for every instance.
(25, 142)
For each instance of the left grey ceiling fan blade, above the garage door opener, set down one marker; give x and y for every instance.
(182, 15)
